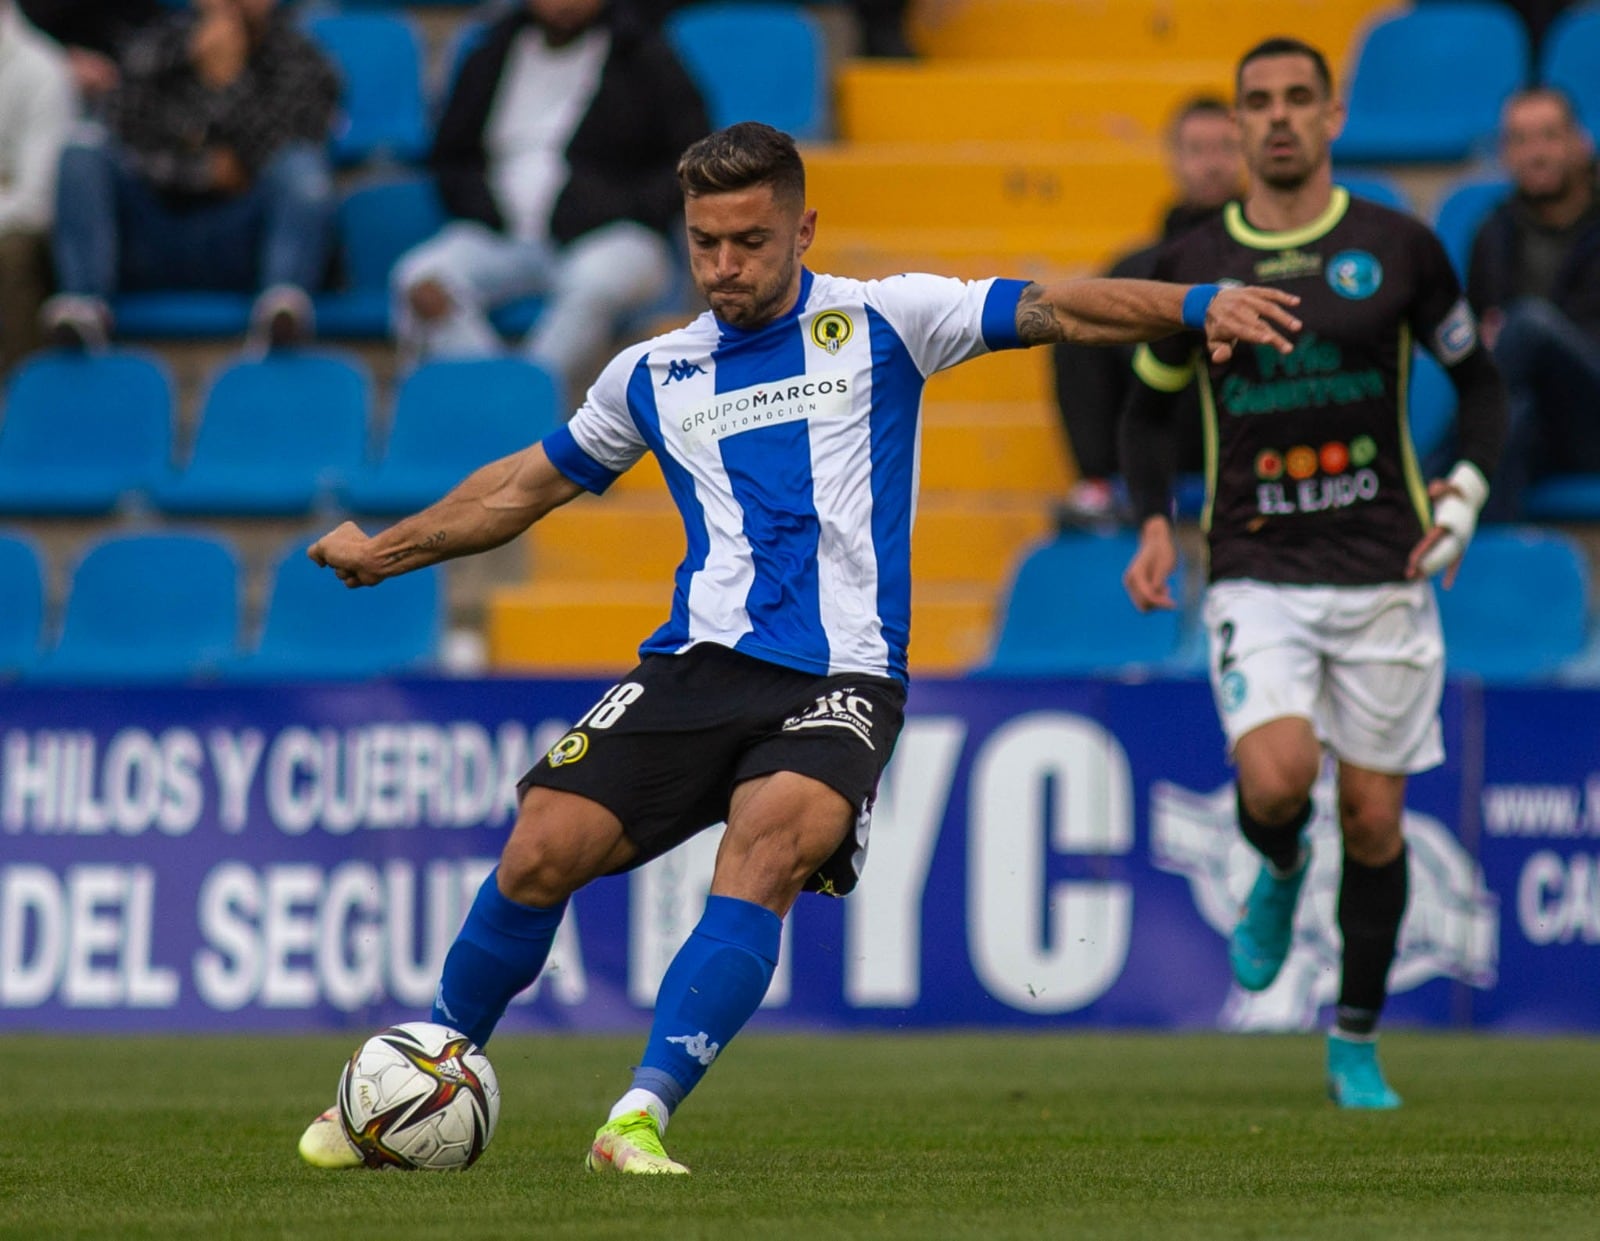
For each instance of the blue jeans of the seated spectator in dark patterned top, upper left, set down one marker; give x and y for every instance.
(114, 231)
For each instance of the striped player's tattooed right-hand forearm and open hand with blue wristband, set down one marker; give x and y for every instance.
(1106, 311)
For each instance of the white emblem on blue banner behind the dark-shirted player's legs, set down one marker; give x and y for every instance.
(1450, 930)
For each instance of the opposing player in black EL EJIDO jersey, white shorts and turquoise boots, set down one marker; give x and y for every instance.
(1324, 628)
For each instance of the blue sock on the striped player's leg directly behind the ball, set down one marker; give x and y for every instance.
(500, 951)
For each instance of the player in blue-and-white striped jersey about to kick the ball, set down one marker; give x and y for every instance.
(786, 423)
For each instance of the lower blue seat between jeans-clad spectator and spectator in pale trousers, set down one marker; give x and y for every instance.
(377, 225)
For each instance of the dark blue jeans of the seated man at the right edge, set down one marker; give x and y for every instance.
(1553, 380)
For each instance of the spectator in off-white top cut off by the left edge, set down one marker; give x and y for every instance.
(38, 110)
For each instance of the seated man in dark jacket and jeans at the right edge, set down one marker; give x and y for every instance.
(1535, 284)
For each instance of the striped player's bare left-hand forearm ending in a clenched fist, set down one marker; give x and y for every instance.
(487, 509)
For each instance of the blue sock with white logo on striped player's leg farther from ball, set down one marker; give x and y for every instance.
(710, 992)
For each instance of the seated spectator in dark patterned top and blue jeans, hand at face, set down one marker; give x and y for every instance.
(212, 175)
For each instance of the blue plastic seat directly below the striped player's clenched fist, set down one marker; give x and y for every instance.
(319, 629)
